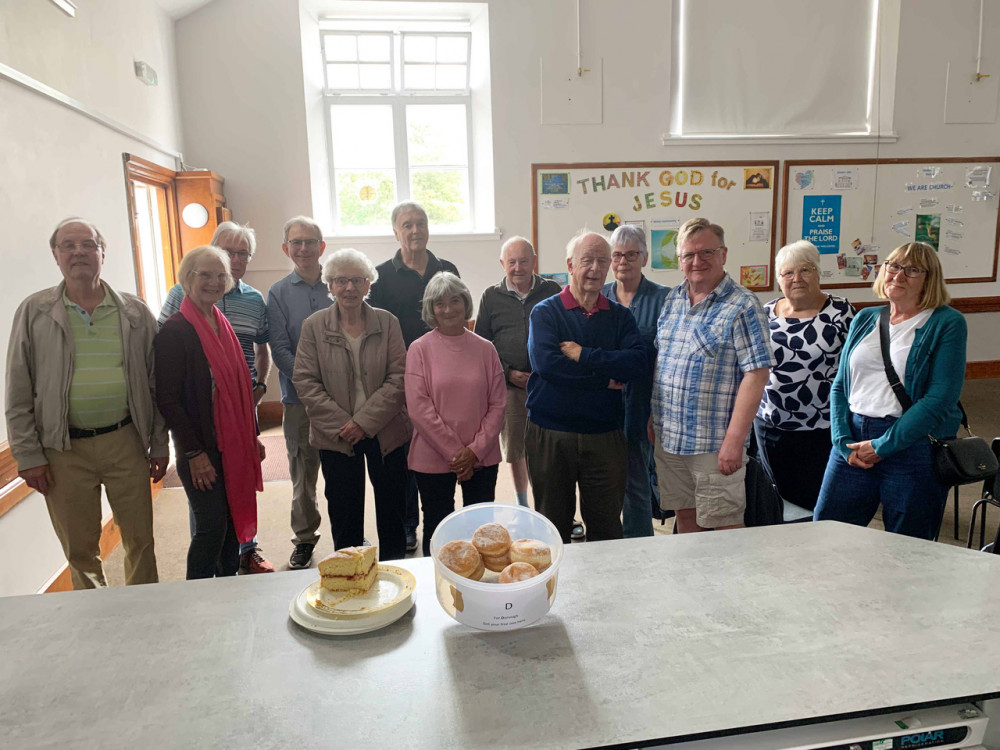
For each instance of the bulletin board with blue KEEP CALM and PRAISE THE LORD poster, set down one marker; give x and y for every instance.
(857, 211)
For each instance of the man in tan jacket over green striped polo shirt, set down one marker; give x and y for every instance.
(80, 410)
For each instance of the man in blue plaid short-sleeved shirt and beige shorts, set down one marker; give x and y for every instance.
(713, 359)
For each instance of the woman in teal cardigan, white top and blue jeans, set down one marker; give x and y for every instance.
(881, 451)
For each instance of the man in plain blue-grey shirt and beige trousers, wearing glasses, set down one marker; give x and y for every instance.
(289, 302)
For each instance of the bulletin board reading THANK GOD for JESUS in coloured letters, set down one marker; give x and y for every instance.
(742, 197)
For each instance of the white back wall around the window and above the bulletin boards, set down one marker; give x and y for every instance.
(269, 175)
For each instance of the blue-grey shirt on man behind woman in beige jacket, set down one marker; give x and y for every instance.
(289, 302)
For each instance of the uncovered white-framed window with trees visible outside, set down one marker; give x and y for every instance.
(399, 122)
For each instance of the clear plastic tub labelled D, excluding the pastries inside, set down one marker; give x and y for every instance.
(487, 604)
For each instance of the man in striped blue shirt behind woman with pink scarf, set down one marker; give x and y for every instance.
(246, 311)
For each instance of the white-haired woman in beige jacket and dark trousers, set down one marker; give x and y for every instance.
(348, 374)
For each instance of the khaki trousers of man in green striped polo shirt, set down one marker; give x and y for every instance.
(118, 461)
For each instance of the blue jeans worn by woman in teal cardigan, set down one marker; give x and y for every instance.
(904, 483)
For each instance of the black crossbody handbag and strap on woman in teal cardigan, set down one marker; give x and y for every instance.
(956, 460)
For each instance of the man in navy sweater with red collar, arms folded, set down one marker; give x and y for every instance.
(582, 348)
